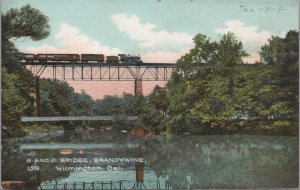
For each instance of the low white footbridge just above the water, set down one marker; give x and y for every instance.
(74, 118)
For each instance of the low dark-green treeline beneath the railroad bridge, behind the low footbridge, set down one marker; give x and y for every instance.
(58, 98)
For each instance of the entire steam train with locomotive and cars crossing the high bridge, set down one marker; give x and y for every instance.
(83, 58)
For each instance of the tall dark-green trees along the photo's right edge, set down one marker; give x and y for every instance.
(281, 94)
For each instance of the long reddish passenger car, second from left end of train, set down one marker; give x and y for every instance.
(57, 57)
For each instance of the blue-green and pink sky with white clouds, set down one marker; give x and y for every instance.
(158, 30)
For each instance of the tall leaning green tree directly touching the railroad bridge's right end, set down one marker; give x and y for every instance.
(188, 83)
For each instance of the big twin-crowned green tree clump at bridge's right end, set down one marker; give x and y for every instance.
(202, 86)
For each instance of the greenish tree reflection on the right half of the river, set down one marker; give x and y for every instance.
(225, 162)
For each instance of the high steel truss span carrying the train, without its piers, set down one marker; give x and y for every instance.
(102, 71)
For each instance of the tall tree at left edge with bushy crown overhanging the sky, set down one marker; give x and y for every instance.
(18, 82)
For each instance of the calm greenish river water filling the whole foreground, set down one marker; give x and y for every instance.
(186, 161)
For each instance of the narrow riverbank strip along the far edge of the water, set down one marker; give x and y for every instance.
(37, 132)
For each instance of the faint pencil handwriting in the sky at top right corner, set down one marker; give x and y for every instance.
(245, 8)
